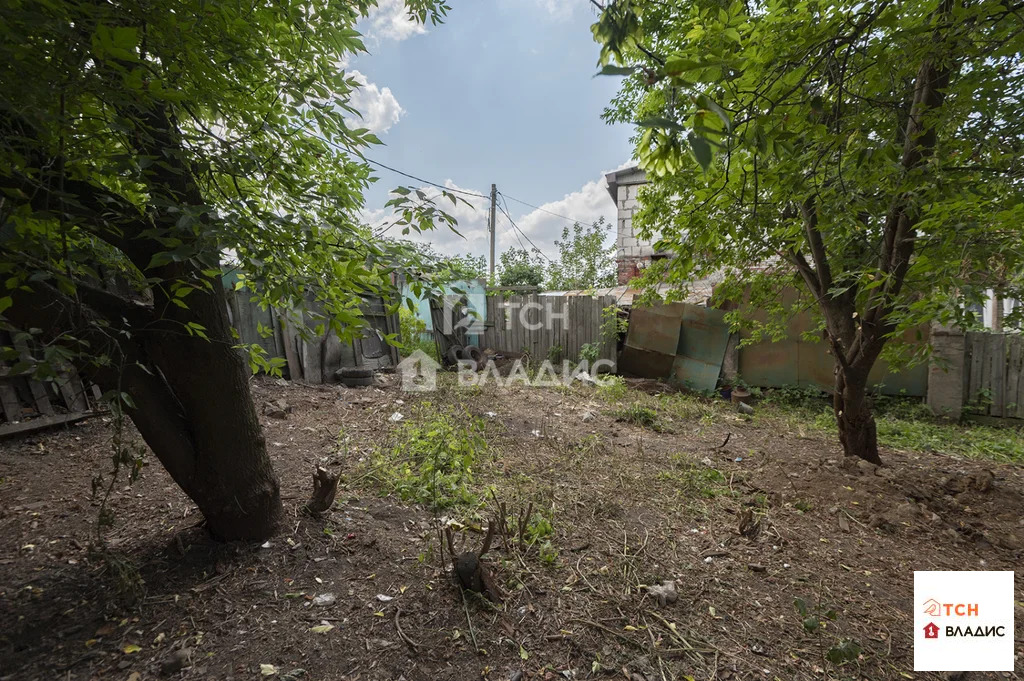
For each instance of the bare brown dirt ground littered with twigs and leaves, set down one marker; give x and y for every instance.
(744, 529)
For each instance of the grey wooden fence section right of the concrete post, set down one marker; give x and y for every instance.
(994, 375)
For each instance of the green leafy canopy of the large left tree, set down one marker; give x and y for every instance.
(146, 143)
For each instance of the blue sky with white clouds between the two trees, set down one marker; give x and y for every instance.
(503, 93)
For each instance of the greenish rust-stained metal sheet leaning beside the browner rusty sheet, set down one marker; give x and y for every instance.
(703, 340)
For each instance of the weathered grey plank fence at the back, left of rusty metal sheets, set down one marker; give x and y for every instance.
(536, 324)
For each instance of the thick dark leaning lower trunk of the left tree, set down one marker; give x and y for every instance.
(190, 397)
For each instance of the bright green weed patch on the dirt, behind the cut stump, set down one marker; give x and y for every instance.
(432, 458)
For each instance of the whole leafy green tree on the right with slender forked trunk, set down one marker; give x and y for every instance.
(867, 153)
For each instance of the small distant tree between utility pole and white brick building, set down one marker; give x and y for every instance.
(584, 261)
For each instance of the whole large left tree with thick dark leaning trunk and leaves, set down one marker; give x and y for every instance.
(144, 147)
